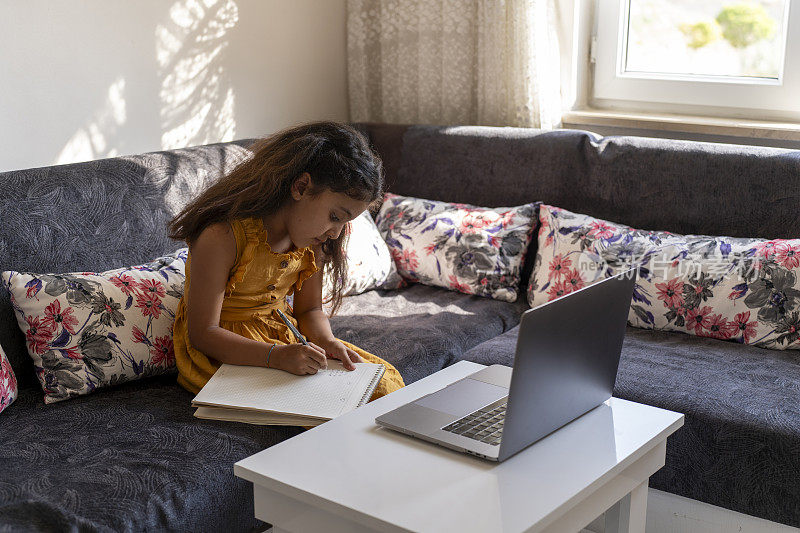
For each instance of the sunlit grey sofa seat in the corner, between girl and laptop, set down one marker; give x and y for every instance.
(422, 329)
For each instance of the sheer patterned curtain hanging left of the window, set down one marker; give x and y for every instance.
(481, 62)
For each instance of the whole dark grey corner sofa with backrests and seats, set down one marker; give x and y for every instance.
(132, 457)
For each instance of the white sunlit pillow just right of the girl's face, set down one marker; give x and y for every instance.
(369, 262)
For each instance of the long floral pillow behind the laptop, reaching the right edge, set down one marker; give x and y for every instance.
(742, 290)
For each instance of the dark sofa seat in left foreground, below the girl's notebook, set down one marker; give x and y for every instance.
(127, 458)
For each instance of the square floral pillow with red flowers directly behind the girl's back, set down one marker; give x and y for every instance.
(89, 330)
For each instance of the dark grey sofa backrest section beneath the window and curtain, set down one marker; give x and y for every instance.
(656, 184)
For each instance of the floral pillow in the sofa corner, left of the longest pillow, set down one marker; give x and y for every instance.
(474, 250)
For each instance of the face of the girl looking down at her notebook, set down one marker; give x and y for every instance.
(311, 219)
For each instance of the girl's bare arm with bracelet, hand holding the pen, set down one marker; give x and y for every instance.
(213, 255)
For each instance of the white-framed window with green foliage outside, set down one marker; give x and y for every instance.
(714, 57)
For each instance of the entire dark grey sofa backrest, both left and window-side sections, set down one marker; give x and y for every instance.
(113, 212)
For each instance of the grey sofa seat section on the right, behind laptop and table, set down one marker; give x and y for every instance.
(738, 446)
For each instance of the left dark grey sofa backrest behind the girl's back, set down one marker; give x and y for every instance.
(96, 216)
